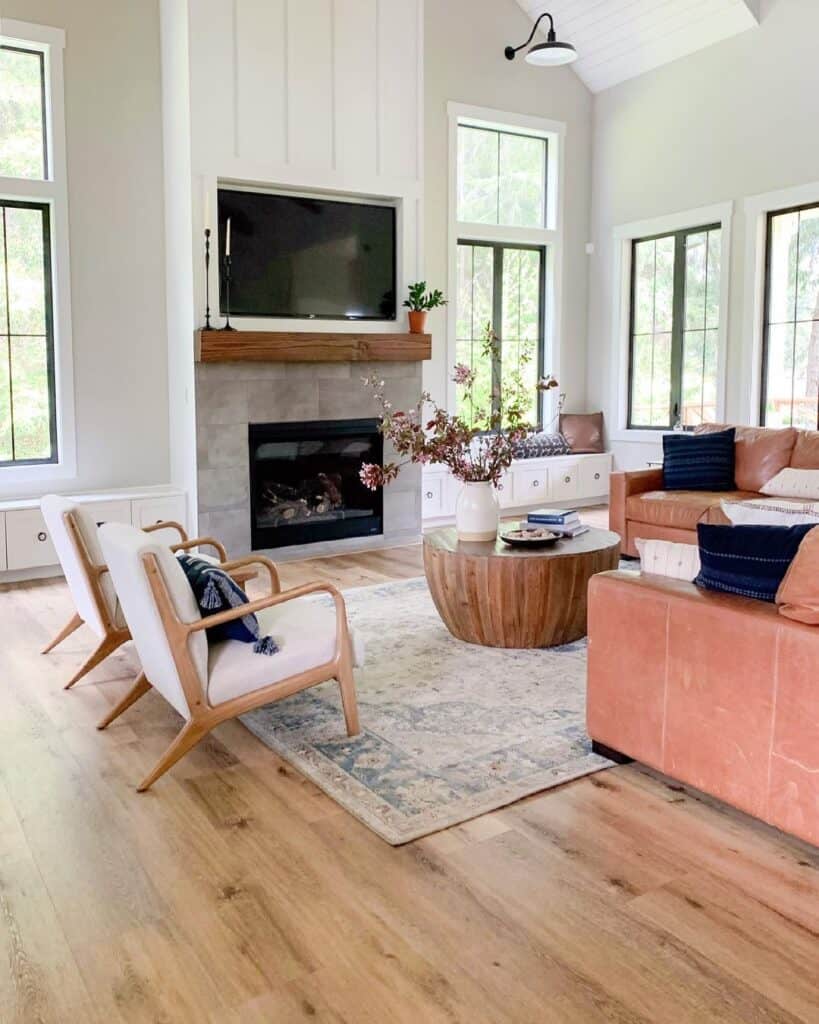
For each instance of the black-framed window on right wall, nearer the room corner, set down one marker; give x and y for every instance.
(675, 327)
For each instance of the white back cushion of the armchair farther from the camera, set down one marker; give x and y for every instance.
(55, 508)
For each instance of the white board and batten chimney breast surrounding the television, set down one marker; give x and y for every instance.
(320, 97)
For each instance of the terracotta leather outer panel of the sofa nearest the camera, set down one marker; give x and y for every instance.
(716, 691)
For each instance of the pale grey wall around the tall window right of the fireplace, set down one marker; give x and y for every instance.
(464, 62)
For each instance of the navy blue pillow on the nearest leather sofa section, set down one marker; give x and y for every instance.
(748, 561)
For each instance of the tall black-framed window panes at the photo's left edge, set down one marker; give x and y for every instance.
(28, 407)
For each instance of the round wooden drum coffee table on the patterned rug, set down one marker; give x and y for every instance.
(498, 596)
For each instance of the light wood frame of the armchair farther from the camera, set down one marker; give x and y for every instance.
(114, 636)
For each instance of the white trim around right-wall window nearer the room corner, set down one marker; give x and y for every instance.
(625, 237)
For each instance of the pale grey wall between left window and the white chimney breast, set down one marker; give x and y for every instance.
(114, 136)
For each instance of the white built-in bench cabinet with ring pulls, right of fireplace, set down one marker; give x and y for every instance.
(572, 480)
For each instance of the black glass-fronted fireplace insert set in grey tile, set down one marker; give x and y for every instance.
(305, 484)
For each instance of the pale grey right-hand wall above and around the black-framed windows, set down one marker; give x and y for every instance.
(729, 122)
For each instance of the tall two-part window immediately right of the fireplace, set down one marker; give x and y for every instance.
(502, 179)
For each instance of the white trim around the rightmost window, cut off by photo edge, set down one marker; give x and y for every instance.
(757, 209)
